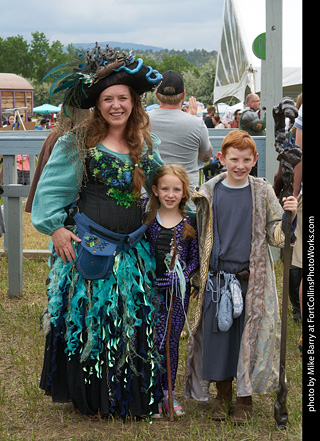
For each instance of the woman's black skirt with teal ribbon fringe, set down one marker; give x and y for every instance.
(100, 348)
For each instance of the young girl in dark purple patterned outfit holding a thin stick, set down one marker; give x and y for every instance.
(167, 212)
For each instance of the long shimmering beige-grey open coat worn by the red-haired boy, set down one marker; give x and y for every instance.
(258, 364)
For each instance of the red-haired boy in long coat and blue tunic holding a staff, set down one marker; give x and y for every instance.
(236, 334)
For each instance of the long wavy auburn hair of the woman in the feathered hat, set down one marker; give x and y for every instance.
(136, 134)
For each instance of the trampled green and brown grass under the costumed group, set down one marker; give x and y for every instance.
(27, 414)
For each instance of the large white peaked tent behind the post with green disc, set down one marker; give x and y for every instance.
(238, 70)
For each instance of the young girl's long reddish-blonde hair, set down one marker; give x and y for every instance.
(181, 173)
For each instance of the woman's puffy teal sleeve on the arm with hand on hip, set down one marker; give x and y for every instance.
(58, 187)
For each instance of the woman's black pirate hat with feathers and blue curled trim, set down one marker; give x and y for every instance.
(93, 71)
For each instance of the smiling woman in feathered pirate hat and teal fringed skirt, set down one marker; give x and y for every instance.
(101, 350)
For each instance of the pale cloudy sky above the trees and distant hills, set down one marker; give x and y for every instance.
(169, 24)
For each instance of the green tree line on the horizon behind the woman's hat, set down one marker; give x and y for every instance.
(33, 60)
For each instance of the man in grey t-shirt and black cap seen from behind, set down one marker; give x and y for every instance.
(184, 137)
